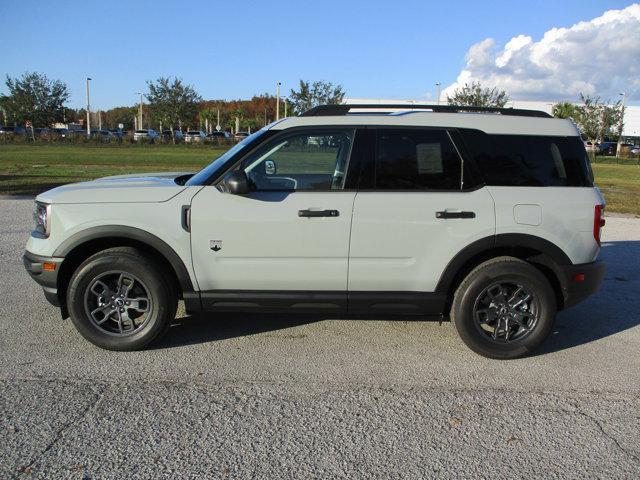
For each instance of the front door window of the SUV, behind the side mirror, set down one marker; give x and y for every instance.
(301, 161)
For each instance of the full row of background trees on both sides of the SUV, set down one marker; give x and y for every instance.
(175, 105)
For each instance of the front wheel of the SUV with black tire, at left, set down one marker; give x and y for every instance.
(143, 278)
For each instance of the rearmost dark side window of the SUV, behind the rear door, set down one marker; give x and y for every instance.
(528, 160)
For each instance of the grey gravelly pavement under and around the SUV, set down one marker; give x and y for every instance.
(269, 396)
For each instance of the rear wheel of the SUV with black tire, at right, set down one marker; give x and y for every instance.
(478, 315)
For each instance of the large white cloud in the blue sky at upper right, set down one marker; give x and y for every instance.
(597, 57)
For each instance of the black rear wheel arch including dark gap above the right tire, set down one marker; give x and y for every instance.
(541, 253)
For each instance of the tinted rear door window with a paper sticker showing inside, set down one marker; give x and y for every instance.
(416, 160)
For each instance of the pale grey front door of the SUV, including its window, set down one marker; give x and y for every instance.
(289, 235)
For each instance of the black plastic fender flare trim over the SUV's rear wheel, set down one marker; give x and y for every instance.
(550, 255)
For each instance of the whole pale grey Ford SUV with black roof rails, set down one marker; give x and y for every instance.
(489, 216)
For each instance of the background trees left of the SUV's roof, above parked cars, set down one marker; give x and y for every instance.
(168, 102)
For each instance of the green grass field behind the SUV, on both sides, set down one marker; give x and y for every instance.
(30, 169)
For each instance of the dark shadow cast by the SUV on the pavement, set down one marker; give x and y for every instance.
(613, 309)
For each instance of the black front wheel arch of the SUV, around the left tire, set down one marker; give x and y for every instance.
(80, 246)
